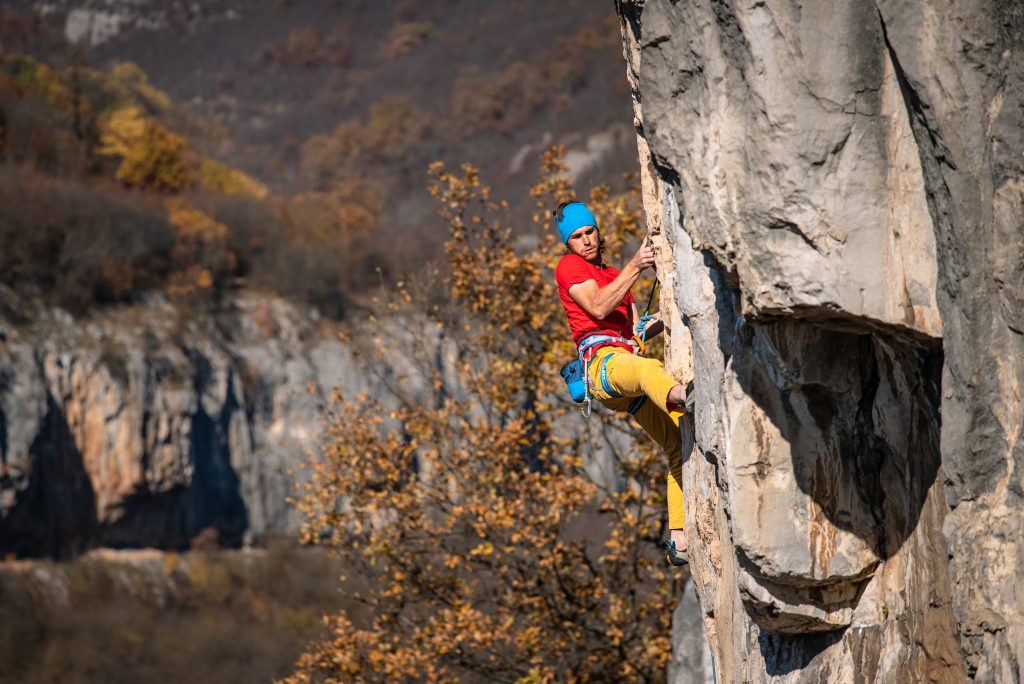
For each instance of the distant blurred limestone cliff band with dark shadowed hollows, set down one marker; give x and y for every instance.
(142, 429)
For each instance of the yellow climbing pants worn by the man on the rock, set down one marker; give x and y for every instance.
(632, 376)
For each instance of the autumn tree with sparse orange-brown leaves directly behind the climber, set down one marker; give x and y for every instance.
(474, 536)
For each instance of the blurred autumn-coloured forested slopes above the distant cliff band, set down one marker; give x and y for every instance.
(282, 146)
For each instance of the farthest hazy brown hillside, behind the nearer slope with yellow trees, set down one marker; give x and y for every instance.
(490, 84)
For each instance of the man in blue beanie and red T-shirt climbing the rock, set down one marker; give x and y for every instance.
(603, 314)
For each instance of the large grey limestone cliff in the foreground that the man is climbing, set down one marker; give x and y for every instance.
(837, 198)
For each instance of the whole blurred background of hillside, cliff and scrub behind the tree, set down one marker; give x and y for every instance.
(211, 216)
